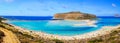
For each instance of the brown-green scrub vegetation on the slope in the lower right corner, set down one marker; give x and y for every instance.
(113, 37)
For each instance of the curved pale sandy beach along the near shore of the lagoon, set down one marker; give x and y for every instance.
(103, 31)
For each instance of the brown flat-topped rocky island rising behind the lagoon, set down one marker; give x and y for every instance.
(74, 16)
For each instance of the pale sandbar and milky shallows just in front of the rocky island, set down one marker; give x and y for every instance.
(73, 23)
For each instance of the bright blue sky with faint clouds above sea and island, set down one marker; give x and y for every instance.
(51, 7)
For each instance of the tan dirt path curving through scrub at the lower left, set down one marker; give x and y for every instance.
(9, 36)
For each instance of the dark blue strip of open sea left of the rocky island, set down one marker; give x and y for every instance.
(28, 17)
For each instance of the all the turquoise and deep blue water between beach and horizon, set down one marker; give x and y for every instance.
(60, 27)
